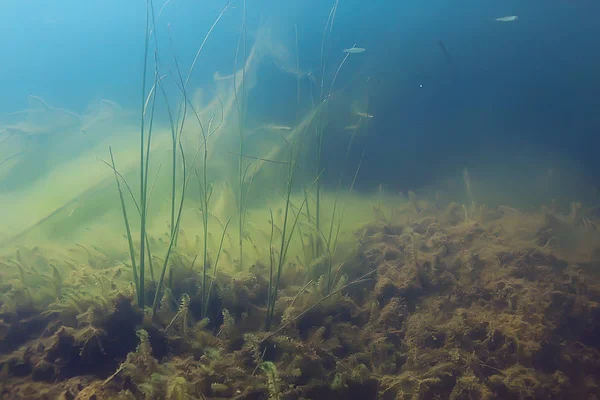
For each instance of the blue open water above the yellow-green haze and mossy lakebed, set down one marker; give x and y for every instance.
(528, 87)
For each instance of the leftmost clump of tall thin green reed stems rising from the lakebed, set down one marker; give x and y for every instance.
(176, 128)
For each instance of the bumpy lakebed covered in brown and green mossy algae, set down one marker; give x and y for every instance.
(458, 302)
